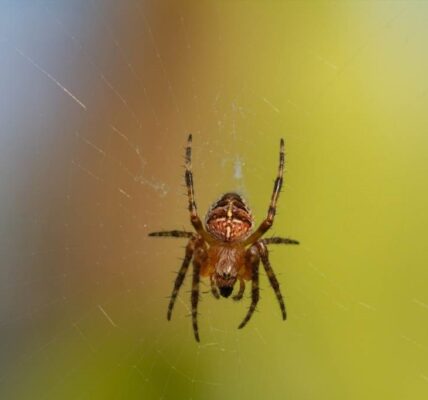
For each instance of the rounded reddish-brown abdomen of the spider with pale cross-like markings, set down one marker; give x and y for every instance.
(229, 218)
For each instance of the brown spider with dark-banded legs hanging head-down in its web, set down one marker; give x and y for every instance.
(227, 250)
